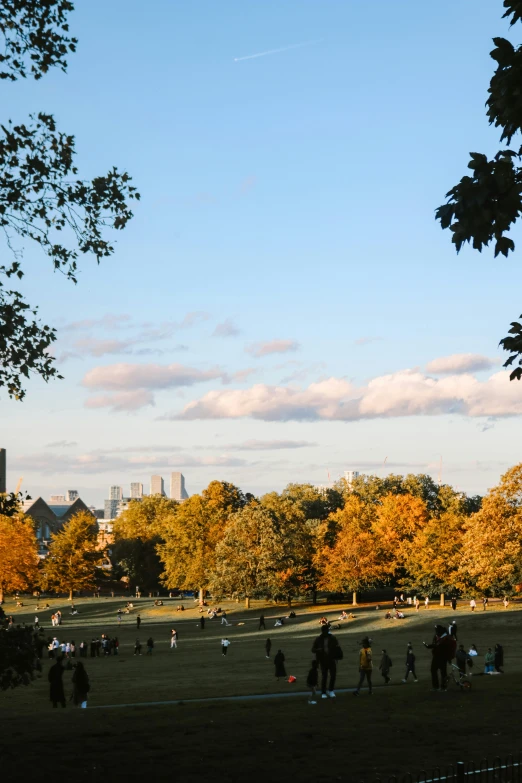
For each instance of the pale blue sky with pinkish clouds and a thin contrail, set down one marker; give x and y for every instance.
(290, 199)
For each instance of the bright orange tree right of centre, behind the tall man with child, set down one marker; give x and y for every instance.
(347, 556)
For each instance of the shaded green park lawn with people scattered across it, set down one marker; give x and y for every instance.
(401, 728)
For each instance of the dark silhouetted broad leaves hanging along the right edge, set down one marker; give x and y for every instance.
(486, 204)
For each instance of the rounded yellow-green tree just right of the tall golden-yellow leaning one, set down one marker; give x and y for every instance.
(249, 557)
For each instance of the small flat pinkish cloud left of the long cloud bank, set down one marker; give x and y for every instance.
(124, 376)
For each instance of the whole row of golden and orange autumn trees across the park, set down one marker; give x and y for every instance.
(405, 532)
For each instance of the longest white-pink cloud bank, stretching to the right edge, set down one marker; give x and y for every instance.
(404, 393)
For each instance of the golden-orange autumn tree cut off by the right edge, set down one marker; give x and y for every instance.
(492, 543)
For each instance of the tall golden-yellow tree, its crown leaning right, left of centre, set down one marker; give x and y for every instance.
(193, 533)
